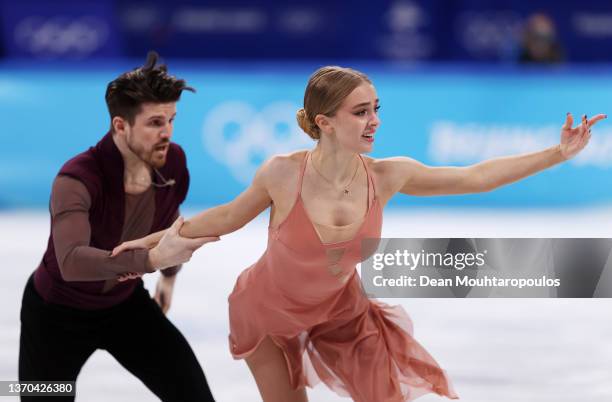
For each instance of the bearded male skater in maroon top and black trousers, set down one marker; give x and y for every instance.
(128, 185)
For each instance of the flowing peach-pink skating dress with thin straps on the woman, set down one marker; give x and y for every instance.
(307, 297)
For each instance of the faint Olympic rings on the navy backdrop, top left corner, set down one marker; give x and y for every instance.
(61, 36)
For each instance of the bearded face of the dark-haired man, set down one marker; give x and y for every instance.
(149, 137)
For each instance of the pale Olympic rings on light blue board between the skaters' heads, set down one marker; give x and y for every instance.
(240, 137)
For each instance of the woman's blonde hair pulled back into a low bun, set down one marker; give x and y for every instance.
(326, 90)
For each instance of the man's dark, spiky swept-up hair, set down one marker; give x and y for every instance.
(150, 83)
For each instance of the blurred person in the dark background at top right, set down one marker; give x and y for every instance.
(539, 41)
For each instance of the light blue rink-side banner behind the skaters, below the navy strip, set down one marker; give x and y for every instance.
(243, 114)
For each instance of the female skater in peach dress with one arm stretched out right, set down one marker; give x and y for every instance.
(298, 315)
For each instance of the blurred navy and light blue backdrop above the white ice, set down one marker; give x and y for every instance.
(459, 81)
